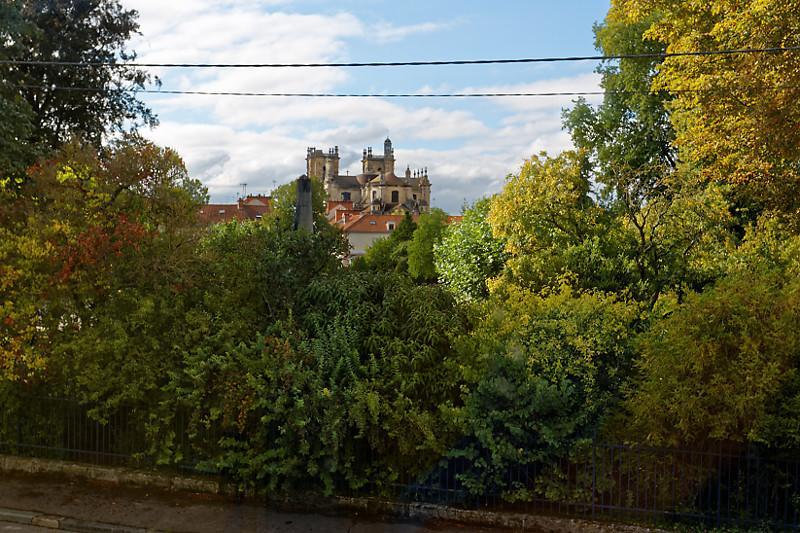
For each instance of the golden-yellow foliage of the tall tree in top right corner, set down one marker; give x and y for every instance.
(737, 116)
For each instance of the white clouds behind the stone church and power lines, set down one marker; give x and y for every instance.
(227, 141)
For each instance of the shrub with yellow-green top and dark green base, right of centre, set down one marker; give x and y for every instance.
(553, 369)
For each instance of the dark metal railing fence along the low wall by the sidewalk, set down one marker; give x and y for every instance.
(741, 487)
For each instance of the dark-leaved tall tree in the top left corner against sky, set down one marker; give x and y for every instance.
(90, 31)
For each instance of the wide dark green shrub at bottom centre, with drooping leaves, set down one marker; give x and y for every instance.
(360, 388)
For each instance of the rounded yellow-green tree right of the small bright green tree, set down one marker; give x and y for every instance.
(553, 227)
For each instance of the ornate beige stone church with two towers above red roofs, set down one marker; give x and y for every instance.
(377, 189)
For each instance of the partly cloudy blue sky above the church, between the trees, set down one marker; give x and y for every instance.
(469, 146)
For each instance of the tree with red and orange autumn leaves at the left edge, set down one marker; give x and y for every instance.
(92, 255)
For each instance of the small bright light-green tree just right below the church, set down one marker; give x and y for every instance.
(469, 255)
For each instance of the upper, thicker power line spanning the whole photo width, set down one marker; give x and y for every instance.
(664, 55)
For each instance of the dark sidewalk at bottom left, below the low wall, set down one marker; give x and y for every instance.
(87, 503)
